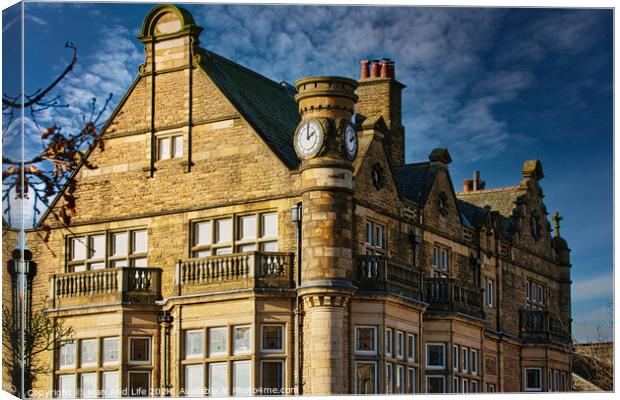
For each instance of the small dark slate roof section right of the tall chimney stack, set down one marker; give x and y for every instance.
(415, 181)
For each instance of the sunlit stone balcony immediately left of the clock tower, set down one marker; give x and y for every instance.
(235, 272)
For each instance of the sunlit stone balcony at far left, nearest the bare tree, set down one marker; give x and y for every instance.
(106, 286)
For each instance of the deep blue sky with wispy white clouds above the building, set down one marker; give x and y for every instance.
(496, 86)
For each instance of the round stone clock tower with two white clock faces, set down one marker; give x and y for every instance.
(326, 143)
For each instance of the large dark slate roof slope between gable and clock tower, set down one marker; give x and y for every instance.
(267, 105)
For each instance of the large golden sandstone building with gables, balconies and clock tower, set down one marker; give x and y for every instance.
(238, 235)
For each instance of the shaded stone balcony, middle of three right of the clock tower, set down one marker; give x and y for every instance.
(449, 295)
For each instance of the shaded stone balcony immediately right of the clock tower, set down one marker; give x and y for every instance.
(382, 274)
